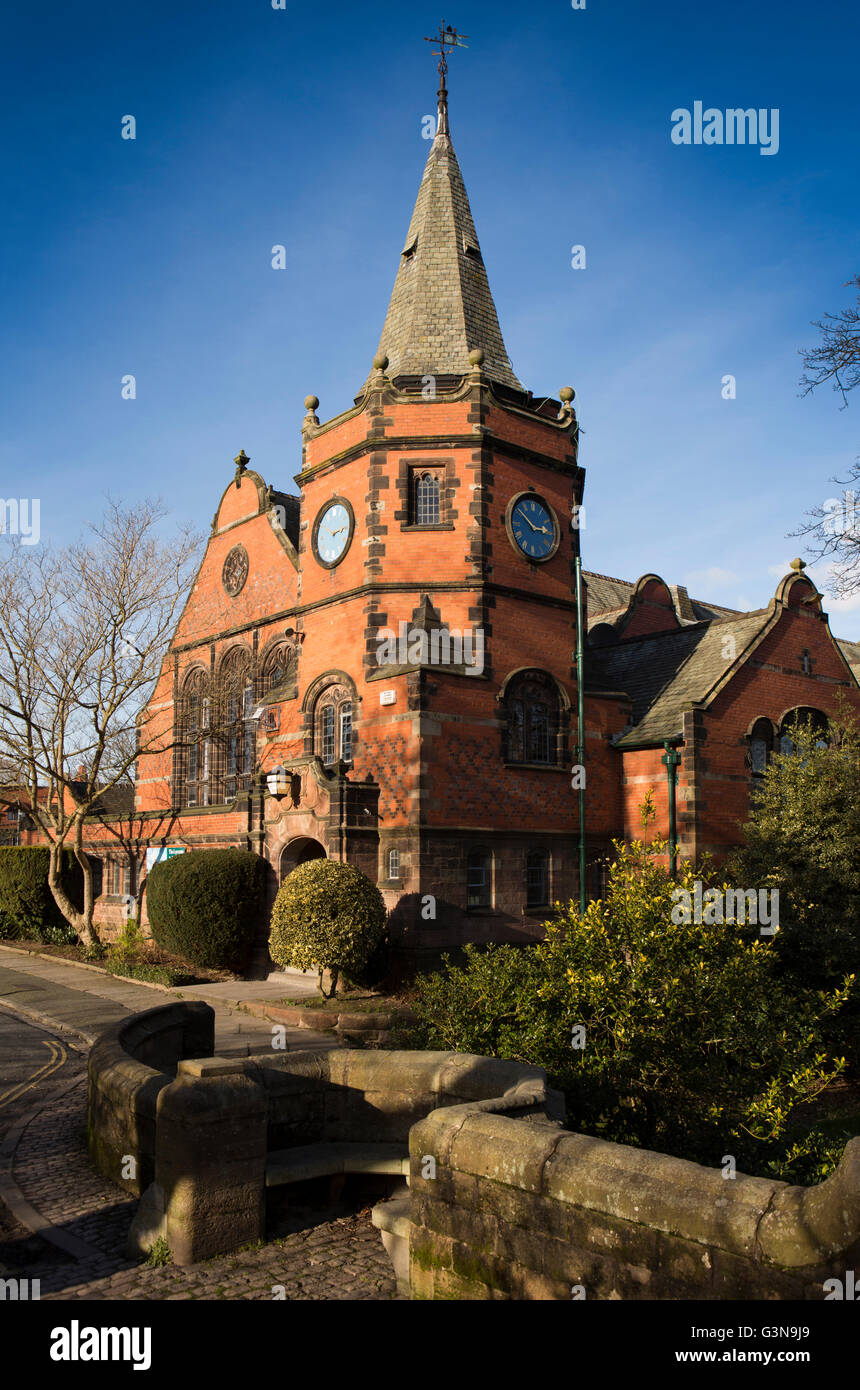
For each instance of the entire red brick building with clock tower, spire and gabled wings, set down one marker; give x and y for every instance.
(398, 641)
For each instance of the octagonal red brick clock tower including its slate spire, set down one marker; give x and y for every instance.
(437, 558)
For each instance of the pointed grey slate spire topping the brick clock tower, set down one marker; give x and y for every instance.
(443, 306)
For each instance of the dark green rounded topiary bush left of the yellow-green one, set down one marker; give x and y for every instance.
(205, 907)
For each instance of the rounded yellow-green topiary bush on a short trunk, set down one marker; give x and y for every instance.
(327, 917)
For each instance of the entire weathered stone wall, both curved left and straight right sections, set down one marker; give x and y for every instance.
(511, 1207)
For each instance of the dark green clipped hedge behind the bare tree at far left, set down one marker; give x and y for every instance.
(28, 911)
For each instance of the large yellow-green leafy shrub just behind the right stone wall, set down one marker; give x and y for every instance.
(695, 1045)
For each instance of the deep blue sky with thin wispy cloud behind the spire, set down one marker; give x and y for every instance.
(259, 127)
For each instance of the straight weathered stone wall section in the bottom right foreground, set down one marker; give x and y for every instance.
(531, 1211)
